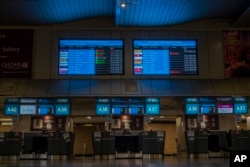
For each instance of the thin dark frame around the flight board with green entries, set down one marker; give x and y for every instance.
(90, 39)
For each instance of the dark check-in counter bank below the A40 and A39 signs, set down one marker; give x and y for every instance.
(33, 145)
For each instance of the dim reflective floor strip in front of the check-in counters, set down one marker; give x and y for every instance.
(89, 162)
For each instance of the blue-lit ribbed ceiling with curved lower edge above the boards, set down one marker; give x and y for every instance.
(136, 13)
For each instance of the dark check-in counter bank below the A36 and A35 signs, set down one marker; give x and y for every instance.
(212, 142)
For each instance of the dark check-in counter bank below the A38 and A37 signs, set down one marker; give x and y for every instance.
(128, 144)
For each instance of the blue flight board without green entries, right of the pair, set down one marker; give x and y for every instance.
(165, 57)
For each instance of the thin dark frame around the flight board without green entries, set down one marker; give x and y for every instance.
(197, 61)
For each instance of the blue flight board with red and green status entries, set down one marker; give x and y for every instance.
(90, 57)
